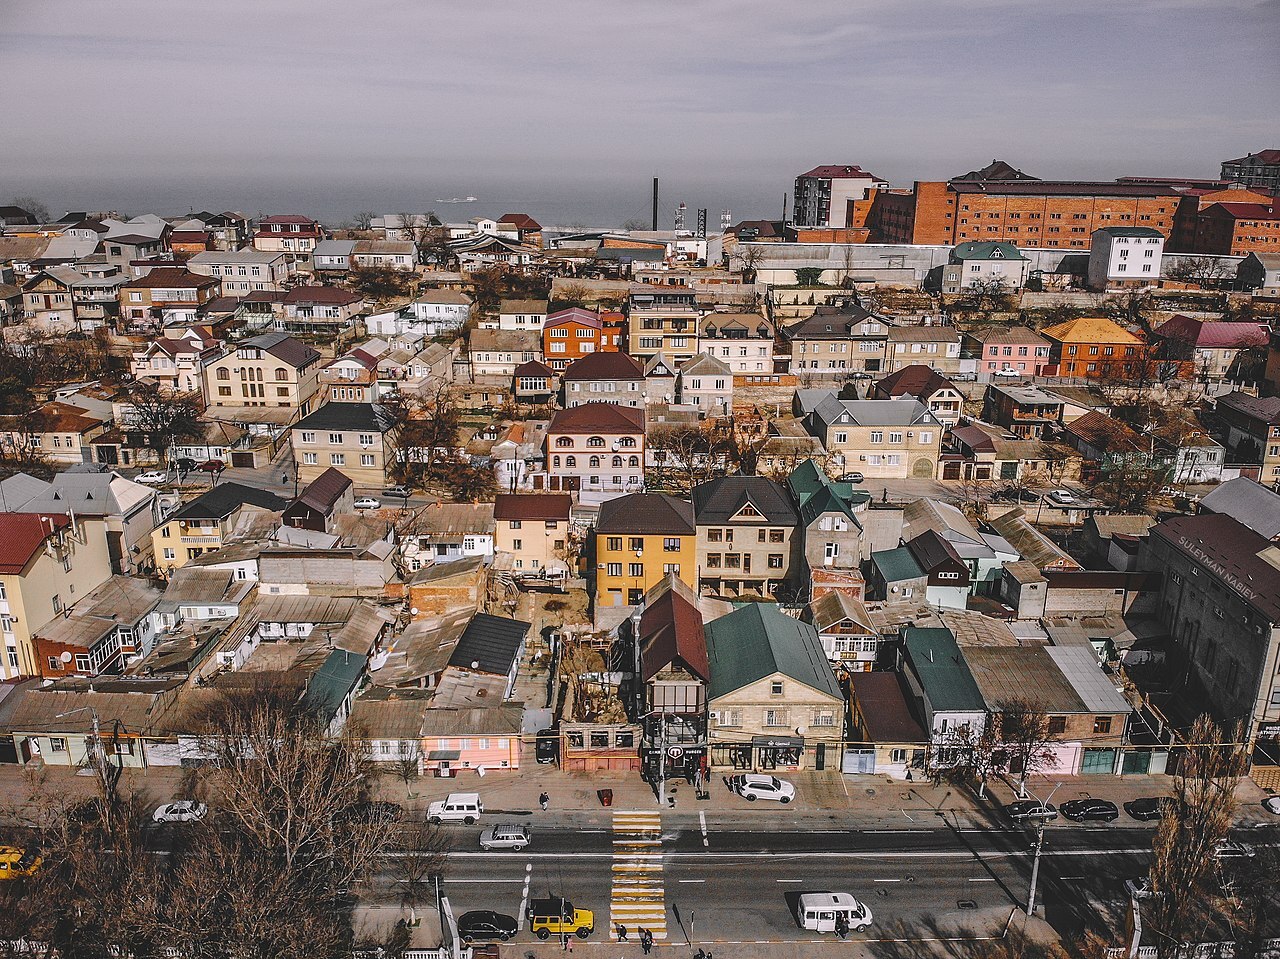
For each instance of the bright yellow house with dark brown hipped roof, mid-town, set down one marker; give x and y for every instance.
(639, 540)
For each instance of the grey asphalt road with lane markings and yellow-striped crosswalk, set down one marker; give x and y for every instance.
(740, 885)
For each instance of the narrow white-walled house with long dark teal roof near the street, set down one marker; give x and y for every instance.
(947, 695)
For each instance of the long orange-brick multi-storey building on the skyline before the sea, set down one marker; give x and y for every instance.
(1027, 212)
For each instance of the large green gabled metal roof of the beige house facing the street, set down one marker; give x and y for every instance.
(757, 642)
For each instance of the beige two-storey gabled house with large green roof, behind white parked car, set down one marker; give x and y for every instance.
(774, 698)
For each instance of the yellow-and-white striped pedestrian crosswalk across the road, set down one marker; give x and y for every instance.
(638, 901)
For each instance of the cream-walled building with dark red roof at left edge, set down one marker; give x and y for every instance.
(48, 563)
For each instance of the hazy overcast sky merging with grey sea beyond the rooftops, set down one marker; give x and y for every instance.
(572, 107)
